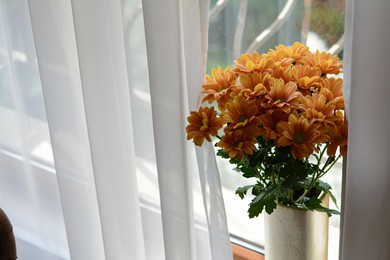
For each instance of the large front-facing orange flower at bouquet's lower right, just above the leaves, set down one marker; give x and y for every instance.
(301, 135)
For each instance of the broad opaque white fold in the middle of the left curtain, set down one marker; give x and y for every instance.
(101, 53)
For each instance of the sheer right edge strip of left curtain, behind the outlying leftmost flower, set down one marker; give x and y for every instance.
(196, 42)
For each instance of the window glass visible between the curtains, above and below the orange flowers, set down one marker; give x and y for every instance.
(238, 27)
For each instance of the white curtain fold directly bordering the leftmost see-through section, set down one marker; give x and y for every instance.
(54, 39)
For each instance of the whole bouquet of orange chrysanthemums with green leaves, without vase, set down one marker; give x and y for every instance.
(279, 118)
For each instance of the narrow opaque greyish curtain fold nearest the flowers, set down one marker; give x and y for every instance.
(165, 62)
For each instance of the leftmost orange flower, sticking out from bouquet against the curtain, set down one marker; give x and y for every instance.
(203, 124)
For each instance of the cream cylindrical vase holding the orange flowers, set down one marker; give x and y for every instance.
(295, 234)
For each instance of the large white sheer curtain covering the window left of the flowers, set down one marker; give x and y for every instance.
(129, 185)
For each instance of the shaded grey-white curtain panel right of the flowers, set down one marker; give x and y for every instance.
(366, 228)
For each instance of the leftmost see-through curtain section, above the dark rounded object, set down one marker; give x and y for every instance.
(28, 186)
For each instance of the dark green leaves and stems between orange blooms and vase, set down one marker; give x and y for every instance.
(282, 179)
